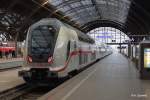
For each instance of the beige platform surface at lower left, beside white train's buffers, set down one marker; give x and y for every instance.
(9, 79)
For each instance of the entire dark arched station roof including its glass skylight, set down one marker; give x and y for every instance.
(130, 16)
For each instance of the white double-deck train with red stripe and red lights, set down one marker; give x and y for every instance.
(54, 50)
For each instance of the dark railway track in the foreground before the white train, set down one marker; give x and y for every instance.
(27, 92)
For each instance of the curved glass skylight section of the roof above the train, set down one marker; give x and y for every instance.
(84, 11)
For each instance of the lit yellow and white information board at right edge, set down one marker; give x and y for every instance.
(146, 57)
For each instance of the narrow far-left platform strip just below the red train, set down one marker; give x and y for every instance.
(10, 63)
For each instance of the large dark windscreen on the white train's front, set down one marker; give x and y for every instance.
(42, 40)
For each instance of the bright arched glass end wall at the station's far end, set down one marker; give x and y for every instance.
(108, 35)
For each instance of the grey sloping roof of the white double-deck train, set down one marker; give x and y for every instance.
(57, 24)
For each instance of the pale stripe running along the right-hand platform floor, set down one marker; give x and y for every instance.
(78, 85)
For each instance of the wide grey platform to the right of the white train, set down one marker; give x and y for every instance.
(112, 78)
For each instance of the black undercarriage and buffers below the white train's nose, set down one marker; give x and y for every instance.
(39, 76)
